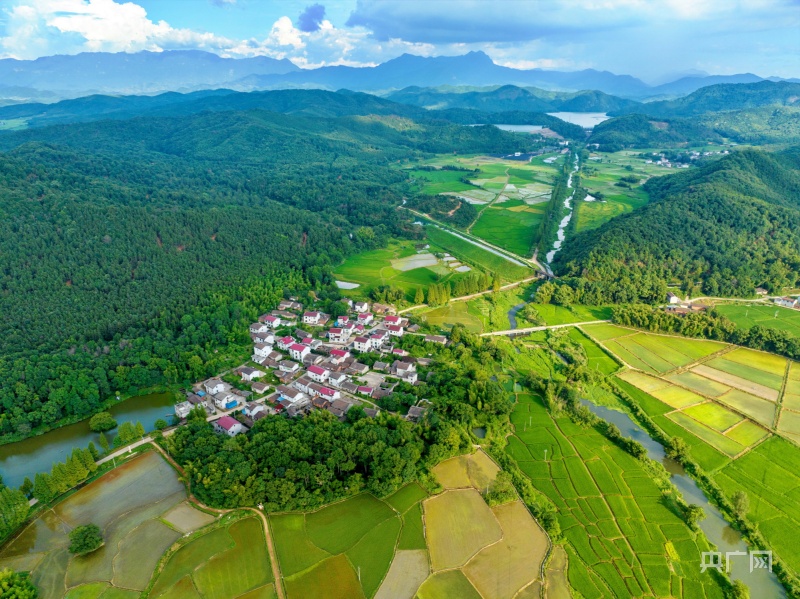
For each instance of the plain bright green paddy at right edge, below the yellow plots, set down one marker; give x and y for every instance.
(769, 475)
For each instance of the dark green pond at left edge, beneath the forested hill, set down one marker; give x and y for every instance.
(38, 454)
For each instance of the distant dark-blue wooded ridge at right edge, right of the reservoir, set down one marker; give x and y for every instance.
(723, 97)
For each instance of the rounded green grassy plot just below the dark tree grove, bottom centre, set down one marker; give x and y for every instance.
(339, 526)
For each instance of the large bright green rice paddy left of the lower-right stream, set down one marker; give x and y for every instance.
(622, 540)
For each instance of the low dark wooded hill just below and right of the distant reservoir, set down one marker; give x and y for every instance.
(640, 131)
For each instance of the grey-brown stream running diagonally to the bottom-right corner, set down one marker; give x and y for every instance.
(762, 583)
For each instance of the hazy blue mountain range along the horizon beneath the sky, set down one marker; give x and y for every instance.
(57, 77)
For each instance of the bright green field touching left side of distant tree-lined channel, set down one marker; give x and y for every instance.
(512, 225)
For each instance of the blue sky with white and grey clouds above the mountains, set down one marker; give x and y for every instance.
(645, 38)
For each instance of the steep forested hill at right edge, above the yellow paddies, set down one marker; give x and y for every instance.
(731, 225)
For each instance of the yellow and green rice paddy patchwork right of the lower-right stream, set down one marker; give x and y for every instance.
(738, 412)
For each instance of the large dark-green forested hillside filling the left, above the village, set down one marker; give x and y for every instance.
(135, 249)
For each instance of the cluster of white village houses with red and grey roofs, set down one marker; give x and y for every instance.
(312, 367)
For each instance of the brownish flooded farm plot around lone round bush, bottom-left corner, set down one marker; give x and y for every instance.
(125, 518)
